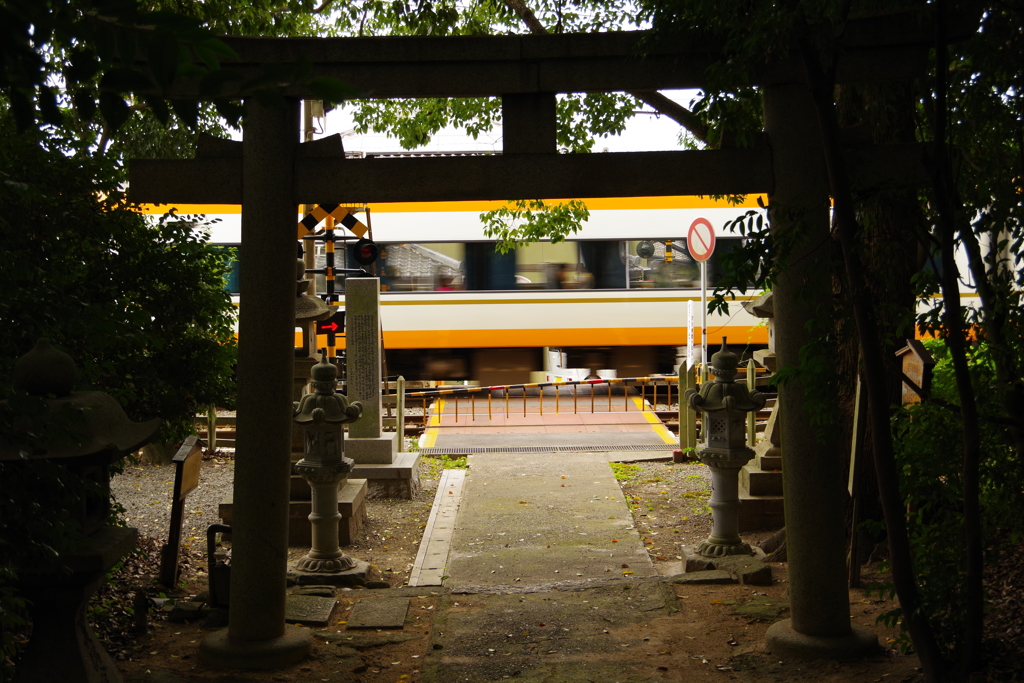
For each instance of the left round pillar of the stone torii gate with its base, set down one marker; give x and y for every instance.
(257, 636)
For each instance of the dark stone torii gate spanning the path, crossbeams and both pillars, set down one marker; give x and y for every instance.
(270, 174)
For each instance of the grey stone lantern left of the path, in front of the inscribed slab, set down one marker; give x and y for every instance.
(322, 416)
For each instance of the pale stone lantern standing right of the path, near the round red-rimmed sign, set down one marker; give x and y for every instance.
(724, 405)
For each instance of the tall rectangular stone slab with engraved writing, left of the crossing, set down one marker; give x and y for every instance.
(363, 370)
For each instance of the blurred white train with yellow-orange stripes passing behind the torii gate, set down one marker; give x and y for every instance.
(615, 297)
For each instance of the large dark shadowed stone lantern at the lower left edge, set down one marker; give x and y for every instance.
(84, 432)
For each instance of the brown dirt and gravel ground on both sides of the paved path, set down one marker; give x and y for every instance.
(720, 637)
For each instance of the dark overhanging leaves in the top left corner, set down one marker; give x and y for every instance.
(118, 58)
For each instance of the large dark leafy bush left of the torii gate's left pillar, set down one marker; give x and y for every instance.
(141, 307)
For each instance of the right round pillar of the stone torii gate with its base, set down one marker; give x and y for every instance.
(813, 477)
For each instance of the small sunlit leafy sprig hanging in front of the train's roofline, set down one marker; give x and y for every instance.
(522, 222)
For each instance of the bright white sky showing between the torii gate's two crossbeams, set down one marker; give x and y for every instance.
(644, 134)
